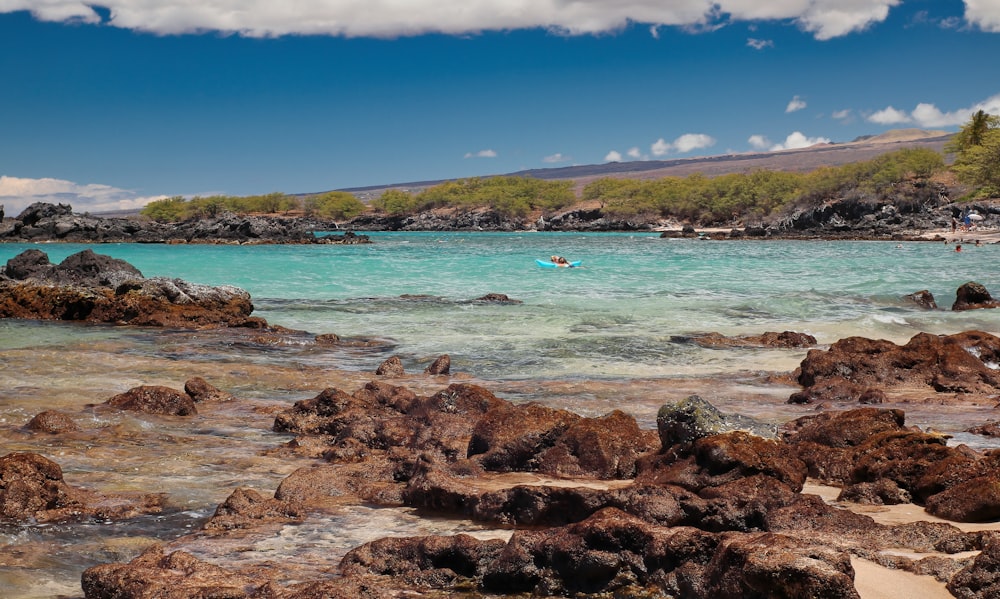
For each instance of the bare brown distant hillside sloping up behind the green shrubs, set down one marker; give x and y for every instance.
(803, 160)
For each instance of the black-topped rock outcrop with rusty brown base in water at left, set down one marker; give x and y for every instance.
(96, 288)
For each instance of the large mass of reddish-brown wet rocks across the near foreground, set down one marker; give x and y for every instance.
(612, 512)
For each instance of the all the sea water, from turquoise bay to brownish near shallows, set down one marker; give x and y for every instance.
(590, 339)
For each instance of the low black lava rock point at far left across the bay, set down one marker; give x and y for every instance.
(57, 222)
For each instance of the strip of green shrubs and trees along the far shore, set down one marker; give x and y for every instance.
(694, 198)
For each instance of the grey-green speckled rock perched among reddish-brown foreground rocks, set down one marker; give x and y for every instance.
(693, 418)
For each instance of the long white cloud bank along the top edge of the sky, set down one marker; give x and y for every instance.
(825, 19)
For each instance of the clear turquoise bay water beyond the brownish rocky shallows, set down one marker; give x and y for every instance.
(615, 316)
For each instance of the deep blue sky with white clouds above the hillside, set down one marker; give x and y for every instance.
(109, 106)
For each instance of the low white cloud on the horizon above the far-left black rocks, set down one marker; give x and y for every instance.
(17, 193)
